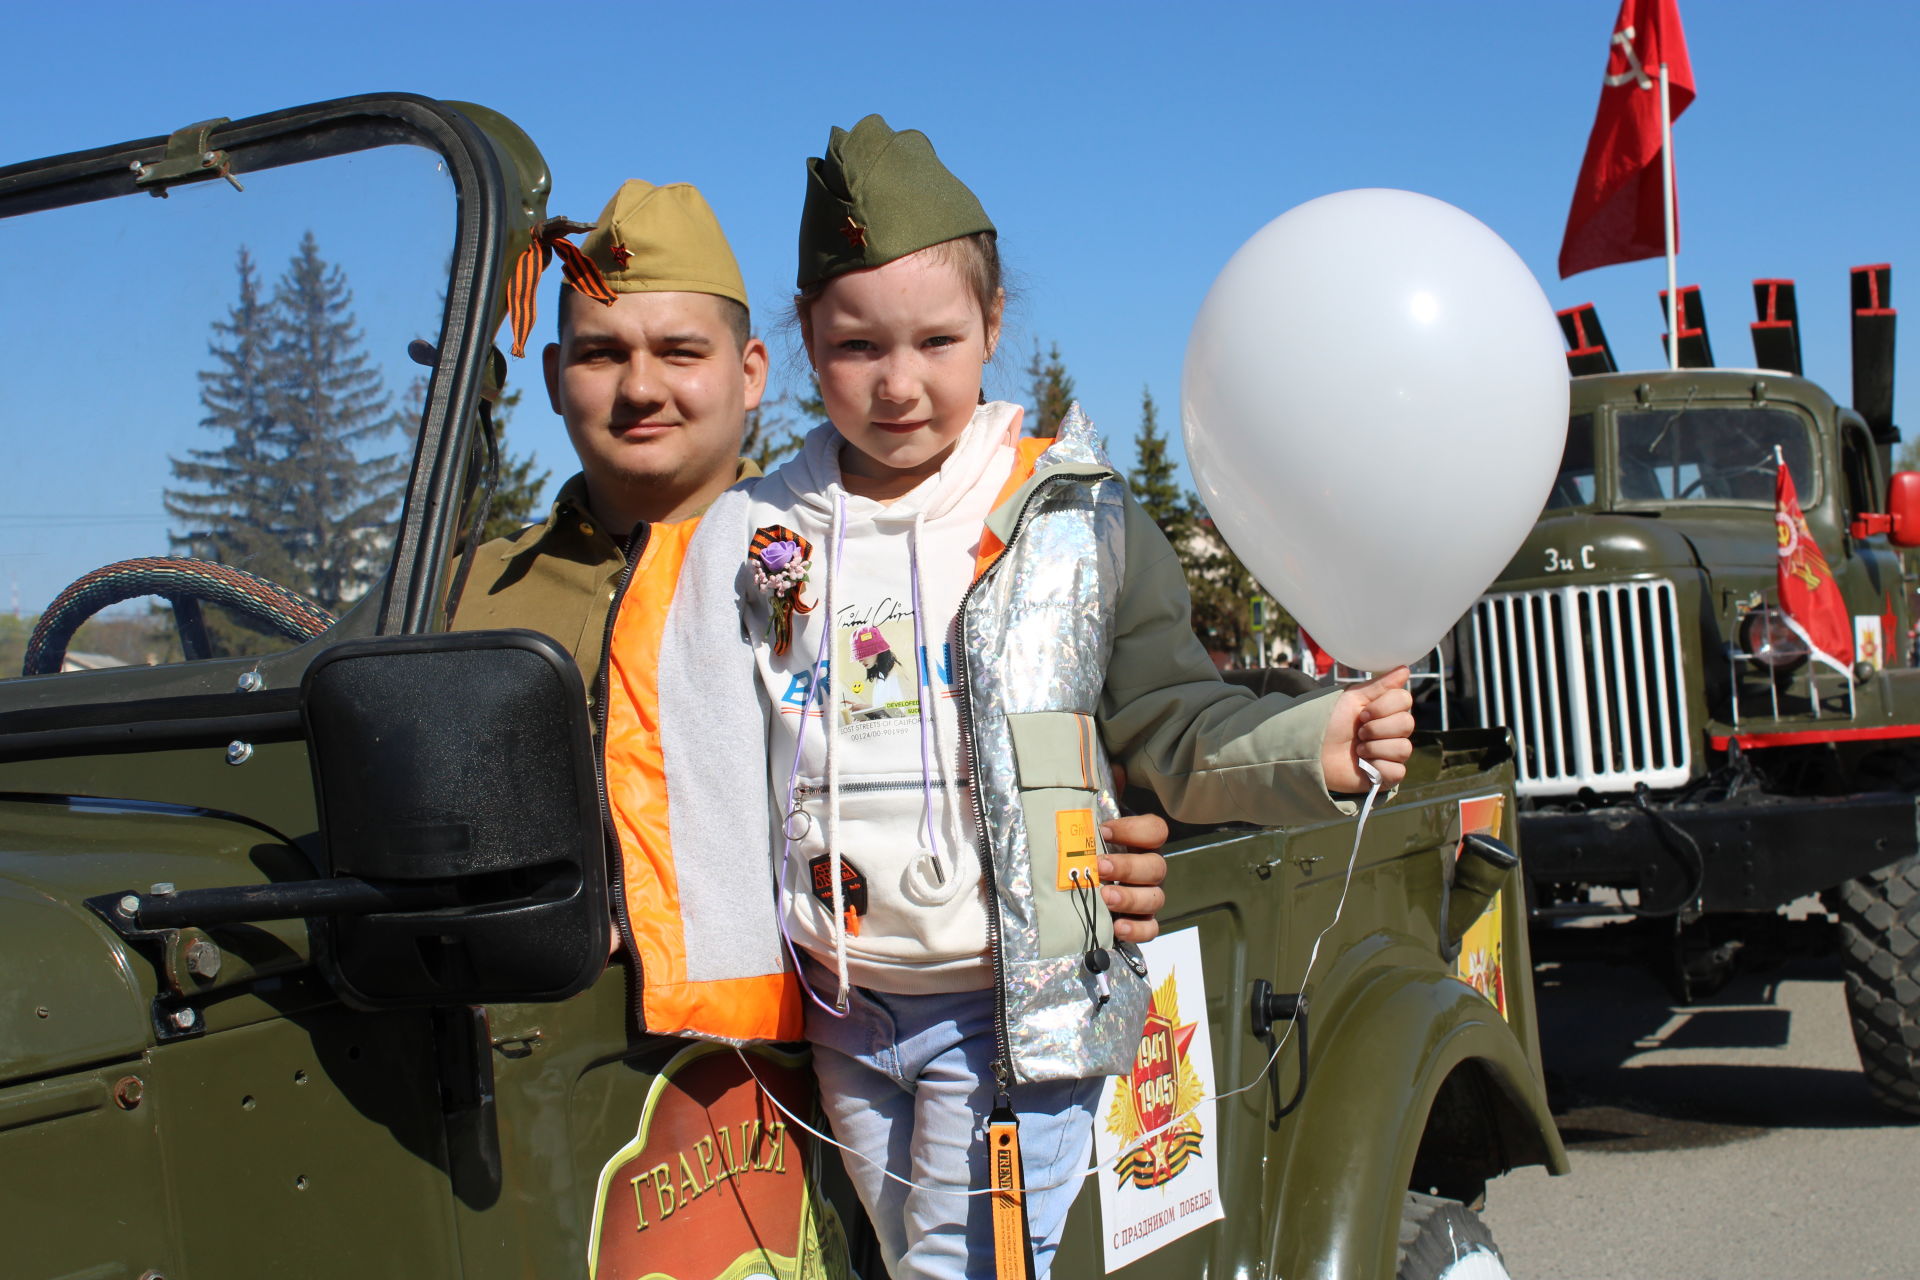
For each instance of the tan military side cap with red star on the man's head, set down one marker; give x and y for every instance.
(663, 239)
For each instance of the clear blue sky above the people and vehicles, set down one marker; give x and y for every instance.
(1124, 149)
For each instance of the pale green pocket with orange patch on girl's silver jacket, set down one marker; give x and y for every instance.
(1059, 763)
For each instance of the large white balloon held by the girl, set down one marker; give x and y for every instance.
(1376, 406)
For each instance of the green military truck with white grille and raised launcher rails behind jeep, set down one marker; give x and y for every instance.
(1675, 742)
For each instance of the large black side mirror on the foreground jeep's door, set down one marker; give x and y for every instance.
(456, 772)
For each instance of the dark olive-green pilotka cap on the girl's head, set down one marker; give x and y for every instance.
(878, 197)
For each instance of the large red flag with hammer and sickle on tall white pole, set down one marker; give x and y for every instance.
(1616, 214)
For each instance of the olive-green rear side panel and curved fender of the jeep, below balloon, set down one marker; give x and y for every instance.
(1389, 1026)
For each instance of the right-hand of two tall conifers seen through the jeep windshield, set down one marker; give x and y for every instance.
(333, 410)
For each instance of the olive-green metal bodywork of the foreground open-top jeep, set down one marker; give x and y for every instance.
(291, 1135)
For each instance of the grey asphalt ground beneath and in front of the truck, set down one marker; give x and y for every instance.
(1733, 1137)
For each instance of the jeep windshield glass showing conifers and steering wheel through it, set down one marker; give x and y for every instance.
(212, 394)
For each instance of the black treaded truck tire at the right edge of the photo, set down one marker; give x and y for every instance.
(1881, 945)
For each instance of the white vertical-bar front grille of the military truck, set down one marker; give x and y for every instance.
(1589, 680)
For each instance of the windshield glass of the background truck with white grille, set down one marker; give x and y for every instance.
(1712, 456)
